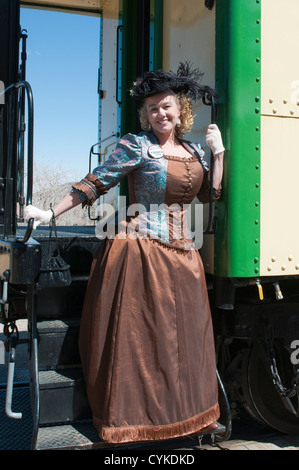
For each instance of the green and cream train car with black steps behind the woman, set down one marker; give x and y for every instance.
(246, 49)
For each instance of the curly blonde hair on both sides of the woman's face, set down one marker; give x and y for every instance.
(186, 115)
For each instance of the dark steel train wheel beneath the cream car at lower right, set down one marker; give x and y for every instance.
(263, 401)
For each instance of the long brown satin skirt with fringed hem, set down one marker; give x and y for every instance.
(146, 343)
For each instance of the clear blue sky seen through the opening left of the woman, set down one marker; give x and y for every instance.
(62, 69)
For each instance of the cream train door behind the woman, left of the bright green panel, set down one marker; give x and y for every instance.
(189, 35)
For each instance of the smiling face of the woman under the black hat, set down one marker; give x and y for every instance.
(163, 112)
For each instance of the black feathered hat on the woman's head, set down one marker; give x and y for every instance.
(185, 80)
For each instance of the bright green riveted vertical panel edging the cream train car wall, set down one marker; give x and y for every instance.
(238, 71)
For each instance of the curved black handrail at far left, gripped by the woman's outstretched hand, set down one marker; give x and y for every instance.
(16, 87)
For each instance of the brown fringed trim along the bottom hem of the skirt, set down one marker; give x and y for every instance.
(118, 435)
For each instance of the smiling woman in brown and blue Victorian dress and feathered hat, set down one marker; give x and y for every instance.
(146, 338)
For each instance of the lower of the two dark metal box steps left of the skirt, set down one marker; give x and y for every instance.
(63, 396)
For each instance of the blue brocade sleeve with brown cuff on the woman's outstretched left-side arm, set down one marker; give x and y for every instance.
(125, 158)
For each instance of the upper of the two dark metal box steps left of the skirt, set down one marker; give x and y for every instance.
(58, 342)
